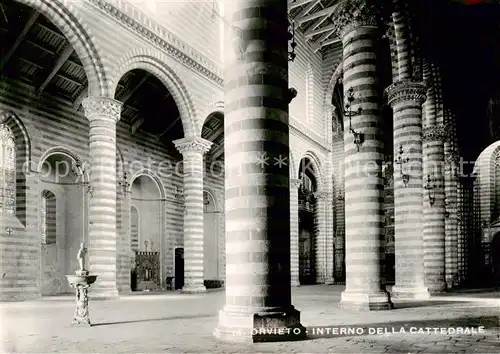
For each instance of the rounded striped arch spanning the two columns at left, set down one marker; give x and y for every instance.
(155, 63)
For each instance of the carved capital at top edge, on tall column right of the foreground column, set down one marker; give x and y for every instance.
(355, 13)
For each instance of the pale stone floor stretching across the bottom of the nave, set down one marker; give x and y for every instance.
(178, 323)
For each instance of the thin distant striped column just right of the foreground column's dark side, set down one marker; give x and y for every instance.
(294, 231)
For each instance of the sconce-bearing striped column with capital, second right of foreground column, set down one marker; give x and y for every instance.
(406, 99)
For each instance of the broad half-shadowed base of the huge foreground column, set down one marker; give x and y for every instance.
(243, 325)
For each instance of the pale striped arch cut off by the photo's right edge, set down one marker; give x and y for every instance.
(484, 169)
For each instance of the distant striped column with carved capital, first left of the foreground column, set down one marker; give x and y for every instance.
(192, 150)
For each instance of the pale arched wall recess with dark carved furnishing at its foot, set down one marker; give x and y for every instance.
(147, 194)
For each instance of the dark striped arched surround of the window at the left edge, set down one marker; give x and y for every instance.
(23, 159)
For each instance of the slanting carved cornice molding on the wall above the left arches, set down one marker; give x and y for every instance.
(157, 34)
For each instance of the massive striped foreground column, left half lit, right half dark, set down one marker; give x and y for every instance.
(257, 189)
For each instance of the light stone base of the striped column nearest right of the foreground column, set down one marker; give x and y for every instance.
(367, 301)
